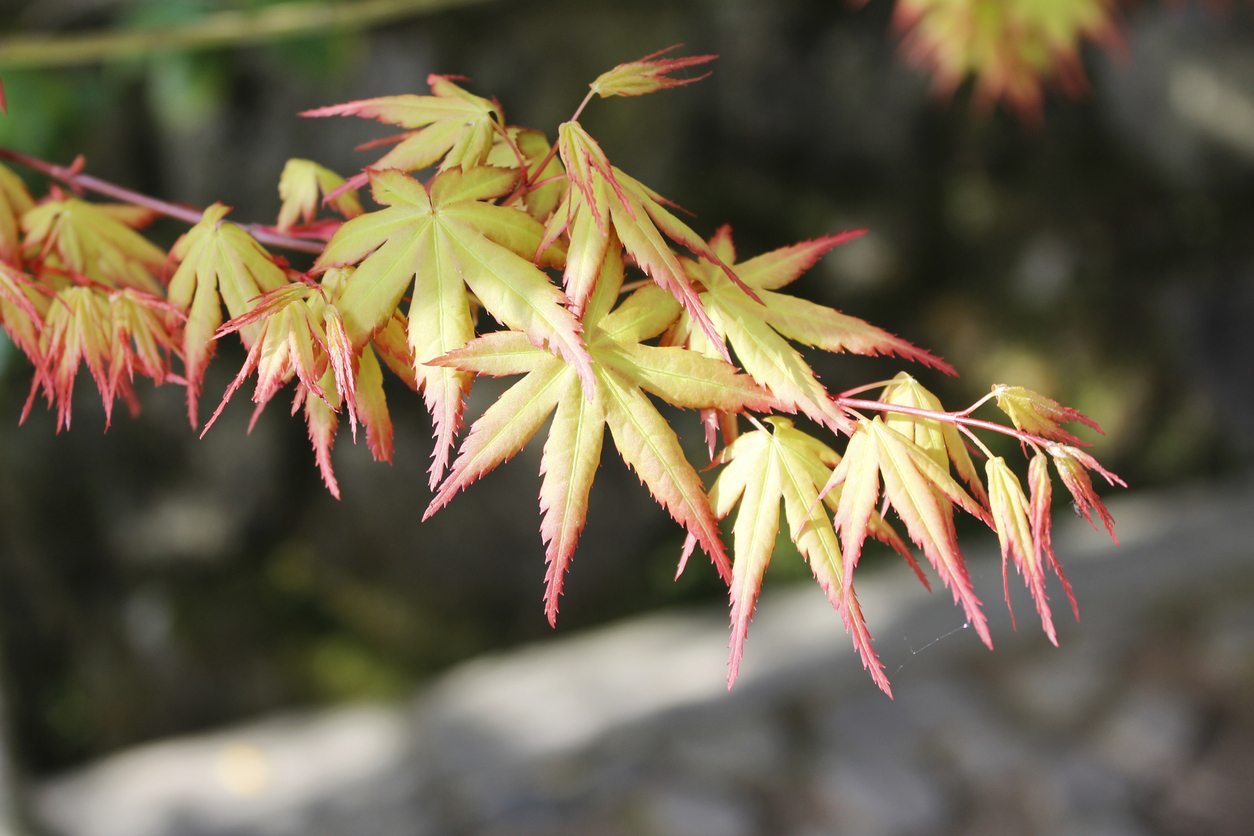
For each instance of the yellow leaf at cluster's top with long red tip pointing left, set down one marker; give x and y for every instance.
(452, 127)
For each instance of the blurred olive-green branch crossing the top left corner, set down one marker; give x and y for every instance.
(218, 31)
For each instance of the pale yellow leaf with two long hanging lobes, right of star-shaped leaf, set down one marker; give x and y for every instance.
(783, 464)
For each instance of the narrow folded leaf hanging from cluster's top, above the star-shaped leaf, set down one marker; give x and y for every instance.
(603, 200)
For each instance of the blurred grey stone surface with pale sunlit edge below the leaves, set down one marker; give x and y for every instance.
(1128, 729)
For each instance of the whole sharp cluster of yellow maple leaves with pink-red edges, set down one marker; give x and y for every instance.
(491, 251)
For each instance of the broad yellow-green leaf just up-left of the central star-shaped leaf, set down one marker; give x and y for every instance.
(442, 240)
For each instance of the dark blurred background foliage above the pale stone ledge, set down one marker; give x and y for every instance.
(154, 583)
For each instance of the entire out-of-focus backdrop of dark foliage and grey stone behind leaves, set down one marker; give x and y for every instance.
(156, 587)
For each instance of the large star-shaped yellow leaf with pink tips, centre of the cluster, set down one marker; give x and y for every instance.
(625, 370)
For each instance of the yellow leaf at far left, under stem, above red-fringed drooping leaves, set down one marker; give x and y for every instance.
(88, 243)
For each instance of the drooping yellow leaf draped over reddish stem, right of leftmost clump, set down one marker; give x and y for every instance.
(220, 264)
